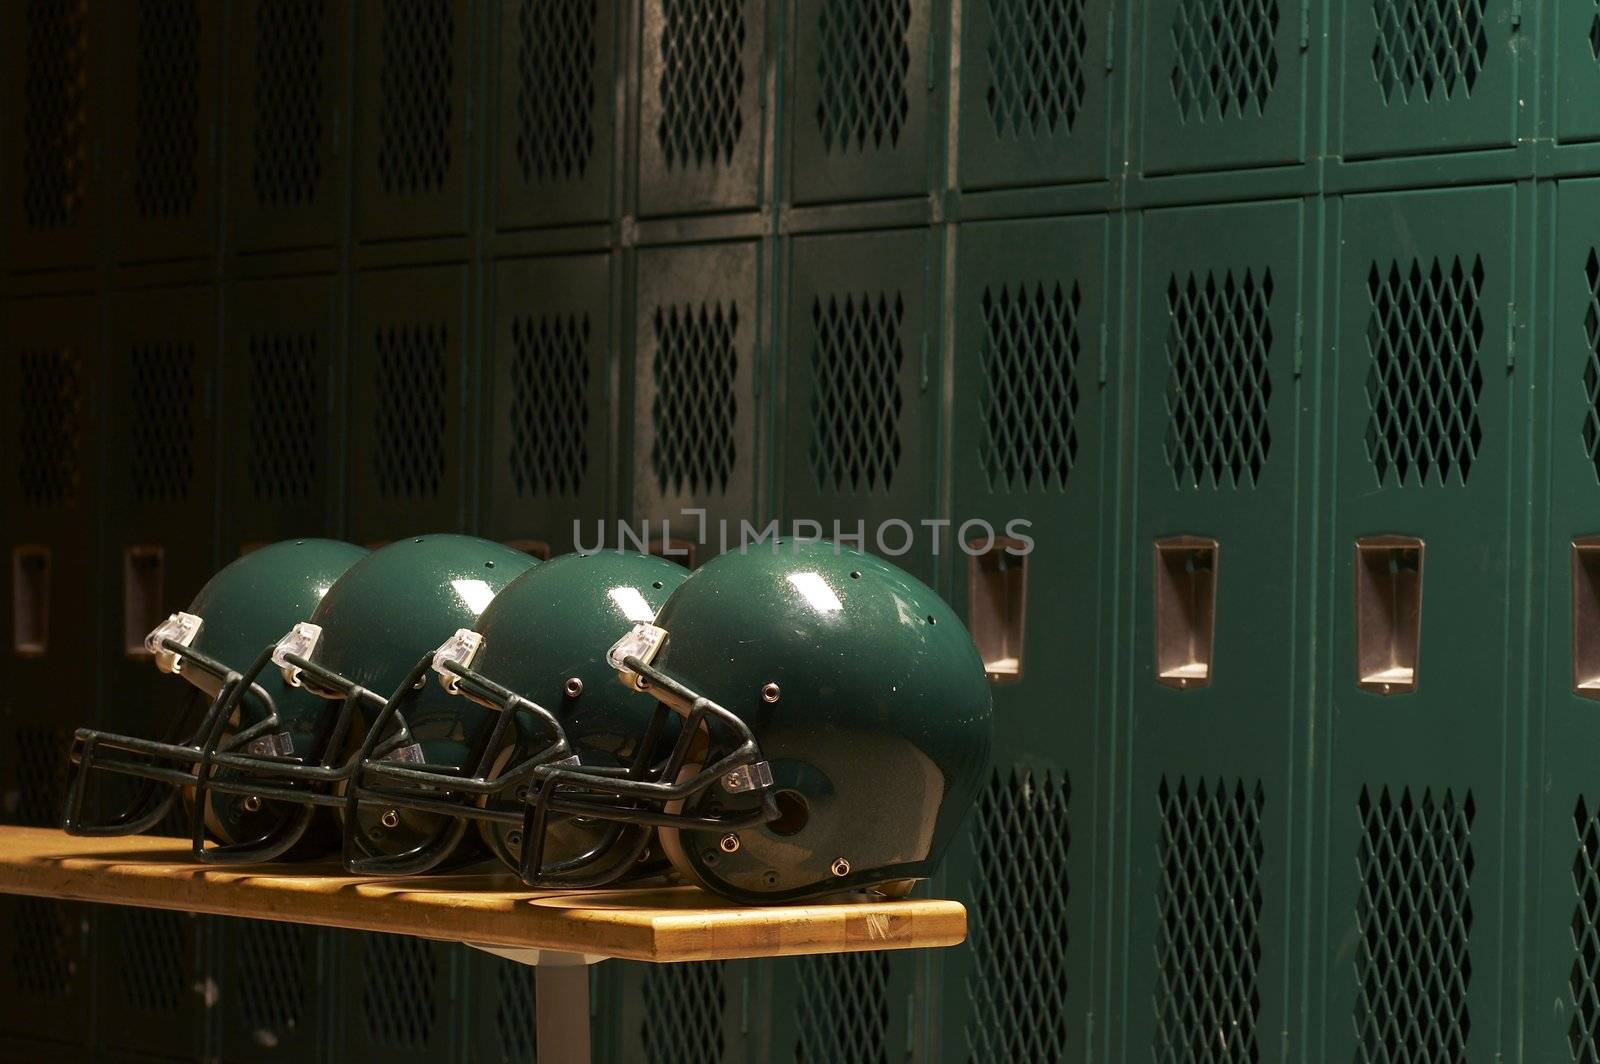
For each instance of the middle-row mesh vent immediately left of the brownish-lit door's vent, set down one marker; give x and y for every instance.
(550, 404)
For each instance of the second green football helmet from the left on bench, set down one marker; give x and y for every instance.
(366, 649)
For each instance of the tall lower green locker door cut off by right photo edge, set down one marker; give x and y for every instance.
(1564, 959)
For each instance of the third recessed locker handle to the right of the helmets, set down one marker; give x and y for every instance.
(1388, 614)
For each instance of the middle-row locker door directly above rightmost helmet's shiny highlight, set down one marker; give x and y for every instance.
(860, 404)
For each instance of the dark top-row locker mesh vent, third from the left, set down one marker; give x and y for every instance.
(290, 54)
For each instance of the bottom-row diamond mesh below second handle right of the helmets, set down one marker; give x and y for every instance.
(1209, 945)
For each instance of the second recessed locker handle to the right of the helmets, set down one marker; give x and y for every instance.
(1186, 572)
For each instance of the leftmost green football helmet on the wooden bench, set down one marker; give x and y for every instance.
(231, 625)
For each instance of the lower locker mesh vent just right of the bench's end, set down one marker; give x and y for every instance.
(1020, 934)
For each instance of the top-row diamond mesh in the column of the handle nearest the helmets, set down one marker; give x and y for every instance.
(1036, 60)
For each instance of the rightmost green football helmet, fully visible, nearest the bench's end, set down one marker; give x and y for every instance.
(836, 727)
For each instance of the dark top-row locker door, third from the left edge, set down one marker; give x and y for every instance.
(289, 140)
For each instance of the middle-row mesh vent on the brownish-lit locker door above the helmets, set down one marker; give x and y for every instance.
(695, 409)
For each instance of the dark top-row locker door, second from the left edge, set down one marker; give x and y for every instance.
(164, 103)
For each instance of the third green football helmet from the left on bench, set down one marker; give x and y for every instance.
(537, 658)
